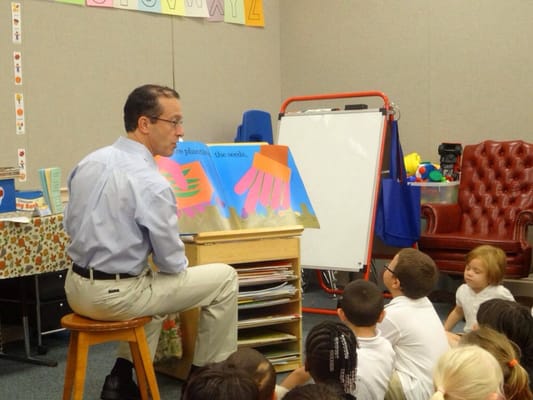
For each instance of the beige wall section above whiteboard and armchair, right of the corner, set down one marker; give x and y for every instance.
(459, 70)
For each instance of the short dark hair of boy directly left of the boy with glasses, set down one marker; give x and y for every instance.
(362, 302)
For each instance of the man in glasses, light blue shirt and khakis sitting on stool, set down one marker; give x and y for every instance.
(120, 211)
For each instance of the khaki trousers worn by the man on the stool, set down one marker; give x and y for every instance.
(212, 287)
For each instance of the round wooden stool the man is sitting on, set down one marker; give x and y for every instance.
(85, 332)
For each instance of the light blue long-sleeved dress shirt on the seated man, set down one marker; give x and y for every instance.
(120, 210)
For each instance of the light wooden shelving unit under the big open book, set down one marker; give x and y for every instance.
(274, 329)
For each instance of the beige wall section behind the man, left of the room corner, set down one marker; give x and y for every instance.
(80, 63)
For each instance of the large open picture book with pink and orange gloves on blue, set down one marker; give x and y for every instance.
(221, 187)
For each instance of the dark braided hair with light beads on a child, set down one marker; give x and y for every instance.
(331, 354)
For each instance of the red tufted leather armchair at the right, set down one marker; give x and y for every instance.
(494, 206)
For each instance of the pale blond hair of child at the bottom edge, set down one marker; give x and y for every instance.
(467, 373)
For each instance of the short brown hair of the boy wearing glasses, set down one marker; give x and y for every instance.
(417, 273)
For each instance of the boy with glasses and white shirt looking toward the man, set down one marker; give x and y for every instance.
(412, 325)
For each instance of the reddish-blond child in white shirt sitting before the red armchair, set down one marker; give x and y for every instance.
(484, 272)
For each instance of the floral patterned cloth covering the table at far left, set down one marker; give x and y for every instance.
(33, 248)
